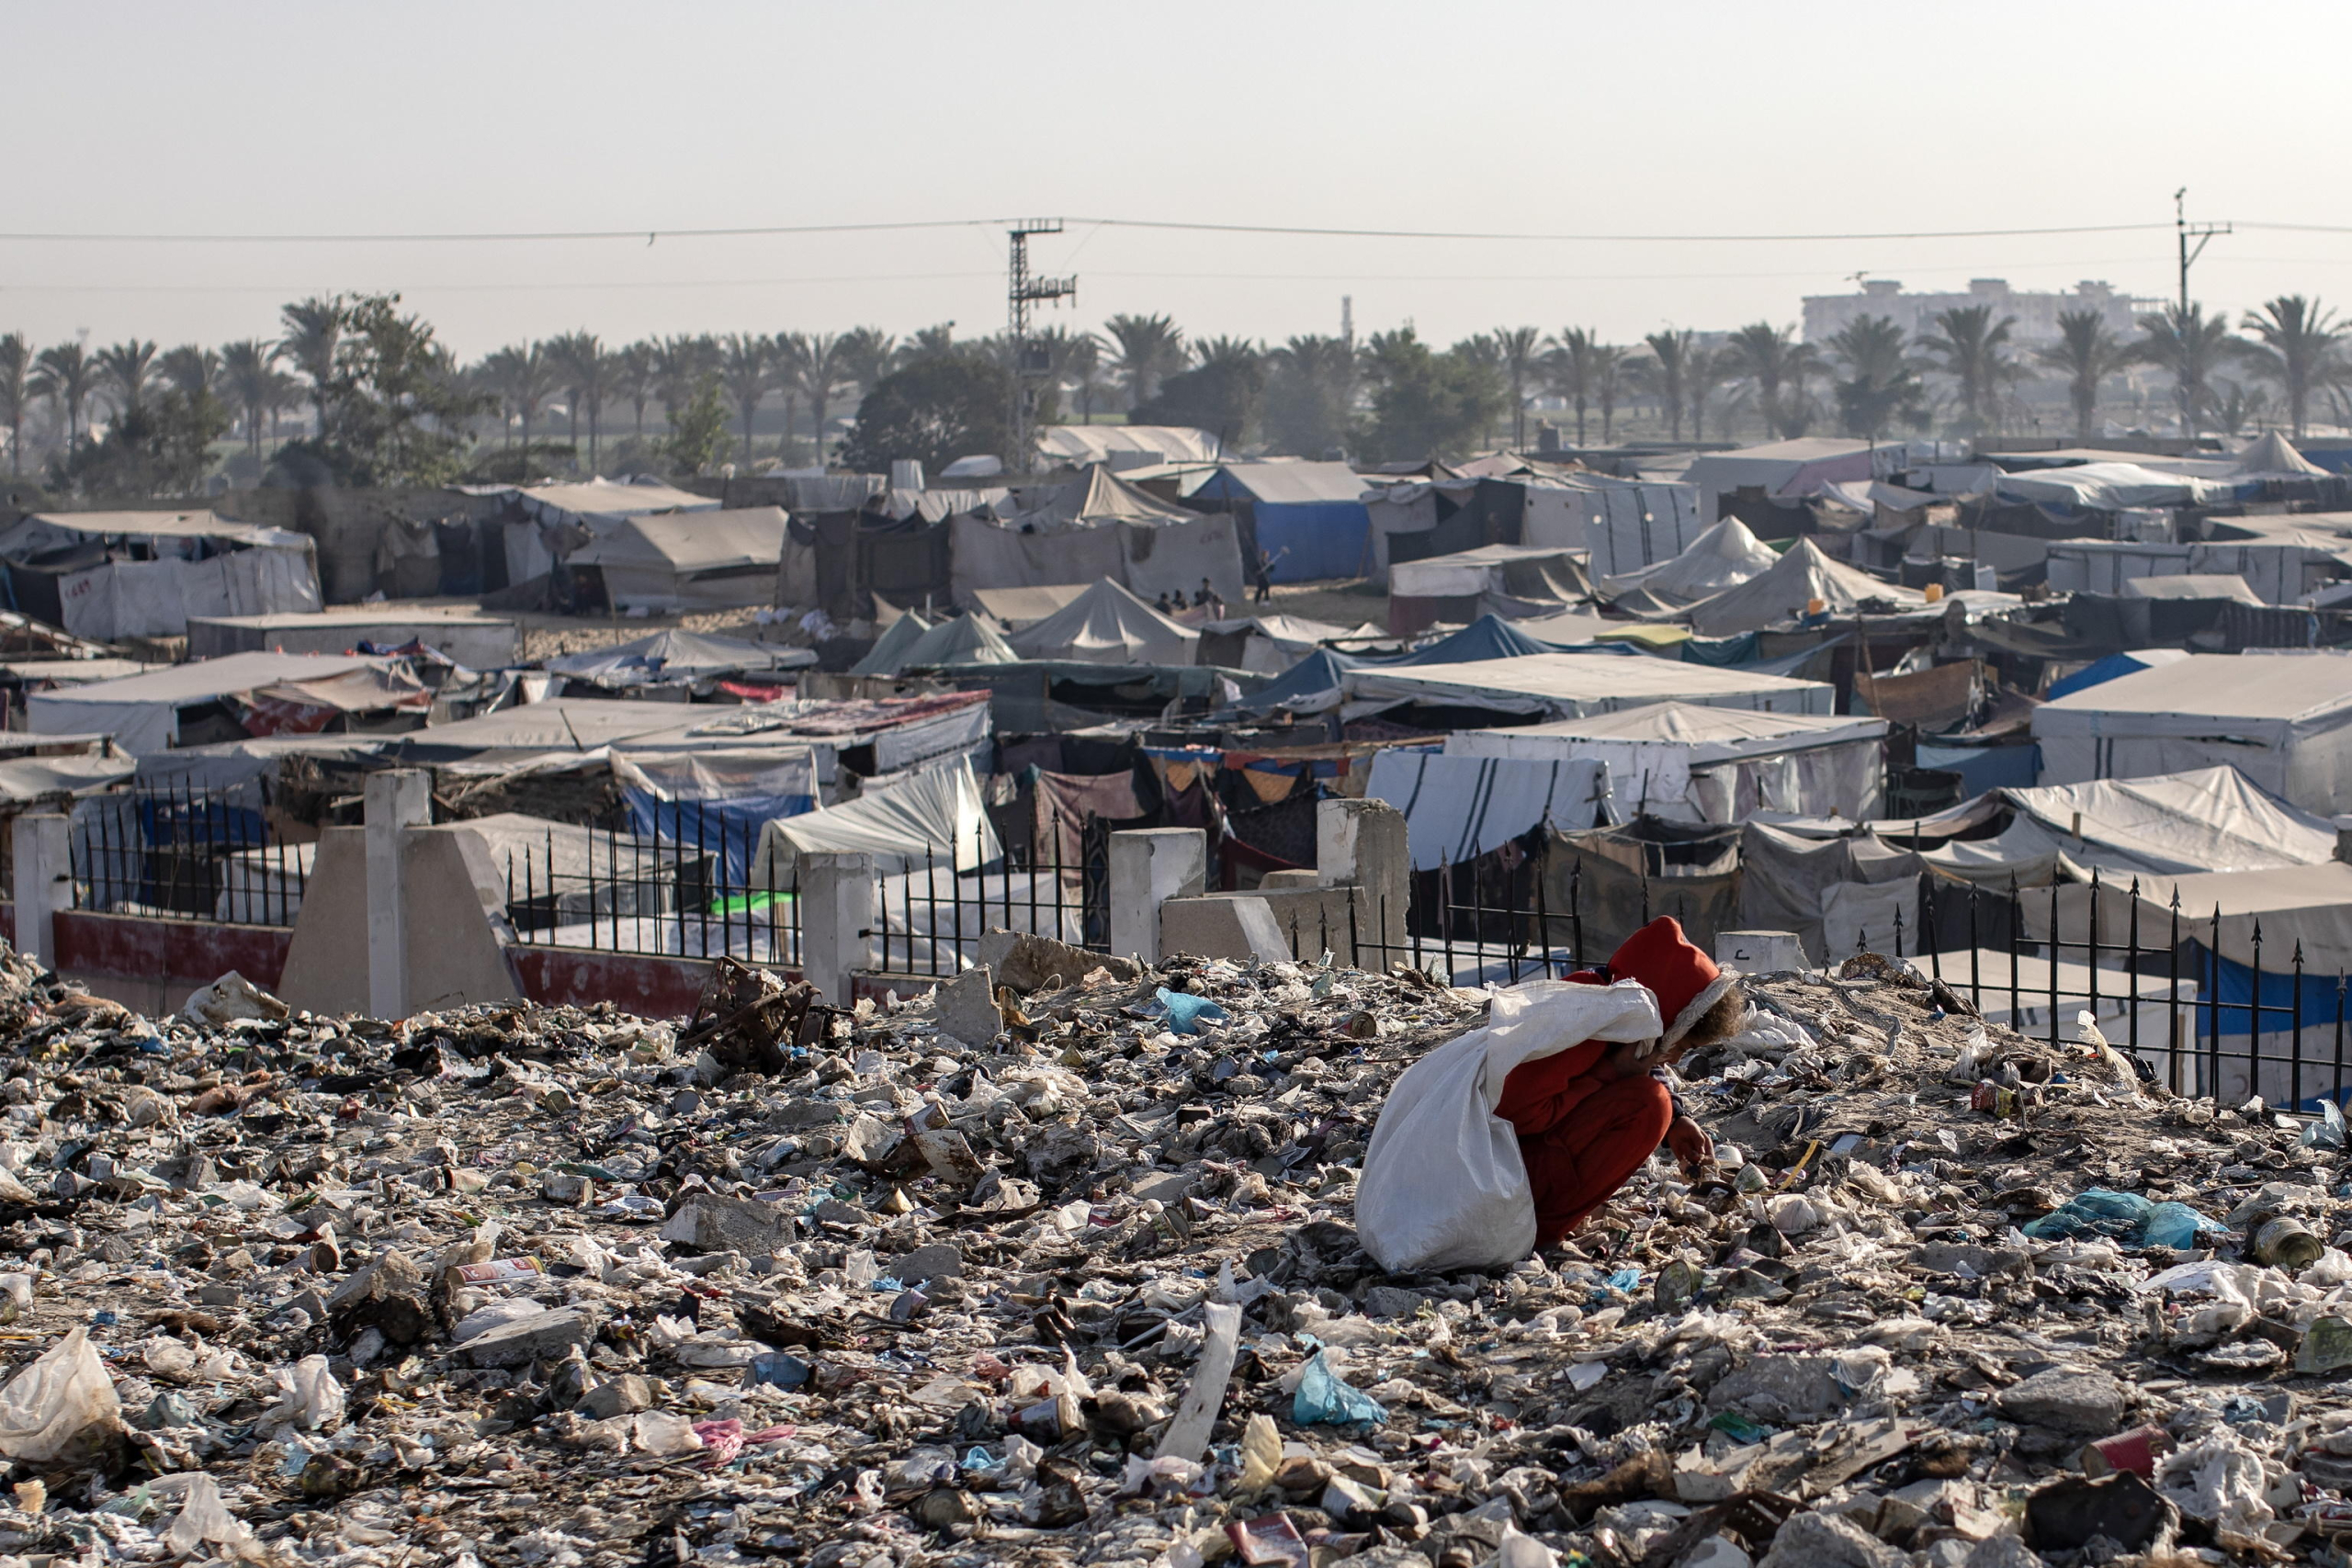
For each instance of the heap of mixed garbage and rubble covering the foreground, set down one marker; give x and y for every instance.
(1057, 1268)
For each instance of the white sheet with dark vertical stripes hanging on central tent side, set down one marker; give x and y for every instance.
(1464, 808)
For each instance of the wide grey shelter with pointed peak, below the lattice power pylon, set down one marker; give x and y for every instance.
(1095, 528)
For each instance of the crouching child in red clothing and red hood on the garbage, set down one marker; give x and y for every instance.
(1593, 1113)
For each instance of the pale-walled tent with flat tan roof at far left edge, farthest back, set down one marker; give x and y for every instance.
(145, 575)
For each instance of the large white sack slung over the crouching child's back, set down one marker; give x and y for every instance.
(1443, 1181)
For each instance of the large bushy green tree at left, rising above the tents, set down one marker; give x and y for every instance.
(394, 401)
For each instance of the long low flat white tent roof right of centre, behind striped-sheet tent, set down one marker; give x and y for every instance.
(1575, 685)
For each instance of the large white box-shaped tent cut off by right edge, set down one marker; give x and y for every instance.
(2285, 723)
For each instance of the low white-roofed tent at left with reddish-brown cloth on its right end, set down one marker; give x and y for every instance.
(272, 695)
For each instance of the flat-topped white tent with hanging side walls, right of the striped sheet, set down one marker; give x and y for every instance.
(1711, 765)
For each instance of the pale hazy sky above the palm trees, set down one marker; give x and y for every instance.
(1699, 119)
